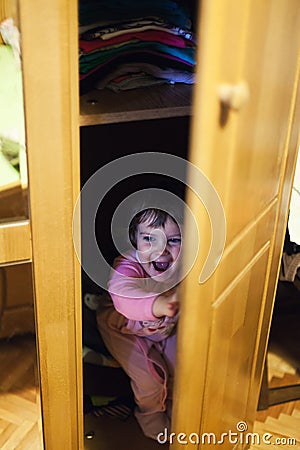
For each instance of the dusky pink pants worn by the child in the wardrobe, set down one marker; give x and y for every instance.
(149, 365)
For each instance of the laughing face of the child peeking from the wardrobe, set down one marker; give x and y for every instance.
(159, 248)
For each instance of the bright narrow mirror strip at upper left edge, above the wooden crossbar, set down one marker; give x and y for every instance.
(13, 167)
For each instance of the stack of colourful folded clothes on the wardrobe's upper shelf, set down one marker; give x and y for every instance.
(127, 44)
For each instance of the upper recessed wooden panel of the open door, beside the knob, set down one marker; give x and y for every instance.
(261, 132)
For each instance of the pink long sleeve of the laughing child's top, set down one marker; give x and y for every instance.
(131, 289)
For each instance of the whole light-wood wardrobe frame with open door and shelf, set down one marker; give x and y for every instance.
(244, 135)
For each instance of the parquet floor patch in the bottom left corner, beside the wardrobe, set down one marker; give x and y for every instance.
(20, 417)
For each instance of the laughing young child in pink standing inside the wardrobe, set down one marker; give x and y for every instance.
(138, 321)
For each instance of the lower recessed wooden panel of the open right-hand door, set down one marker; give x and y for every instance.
(232, 347)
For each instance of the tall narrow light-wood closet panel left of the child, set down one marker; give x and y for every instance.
(50, 56)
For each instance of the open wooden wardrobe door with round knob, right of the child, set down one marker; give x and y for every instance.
(247, 149)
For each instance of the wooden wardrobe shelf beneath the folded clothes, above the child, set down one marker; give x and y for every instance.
(158, 102)
